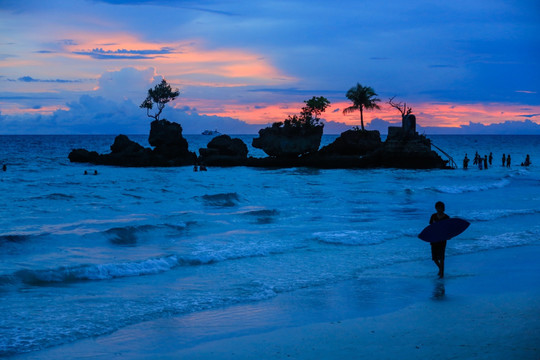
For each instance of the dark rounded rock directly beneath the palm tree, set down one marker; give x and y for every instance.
(353, 142)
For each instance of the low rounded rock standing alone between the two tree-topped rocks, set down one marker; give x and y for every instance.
(222, 149)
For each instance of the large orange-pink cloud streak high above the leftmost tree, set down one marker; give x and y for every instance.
(224, 66)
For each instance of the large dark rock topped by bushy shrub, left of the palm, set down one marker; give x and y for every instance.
(289, 141)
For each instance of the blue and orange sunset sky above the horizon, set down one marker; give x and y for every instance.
(85, 66)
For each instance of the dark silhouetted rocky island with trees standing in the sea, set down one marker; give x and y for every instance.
(294, 142)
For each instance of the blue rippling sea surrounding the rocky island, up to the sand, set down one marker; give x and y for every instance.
(86, 255)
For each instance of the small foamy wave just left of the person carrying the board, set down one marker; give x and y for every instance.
(352, 237)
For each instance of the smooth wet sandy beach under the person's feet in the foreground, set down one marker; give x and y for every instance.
(487, 307)
